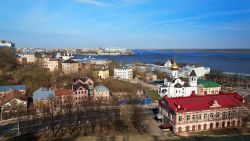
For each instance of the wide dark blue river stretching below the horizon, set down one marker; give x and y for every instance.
(226, 61)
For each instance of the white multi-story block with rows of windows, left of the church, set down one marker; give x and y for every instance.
(123, 72)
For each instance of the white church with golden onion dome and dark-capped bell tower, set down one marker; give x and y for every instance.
(177, 87)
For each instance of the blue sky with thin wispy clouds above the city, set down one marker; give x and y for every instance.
(163, 24)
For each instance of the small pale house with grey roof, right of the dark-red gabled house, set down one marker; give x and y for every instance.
(101, 92)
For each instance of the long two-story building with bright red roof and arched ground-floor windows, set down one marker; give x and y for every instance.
(197, 113)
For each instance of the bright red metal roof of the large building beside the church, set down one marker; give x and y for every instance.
(196, 103)
